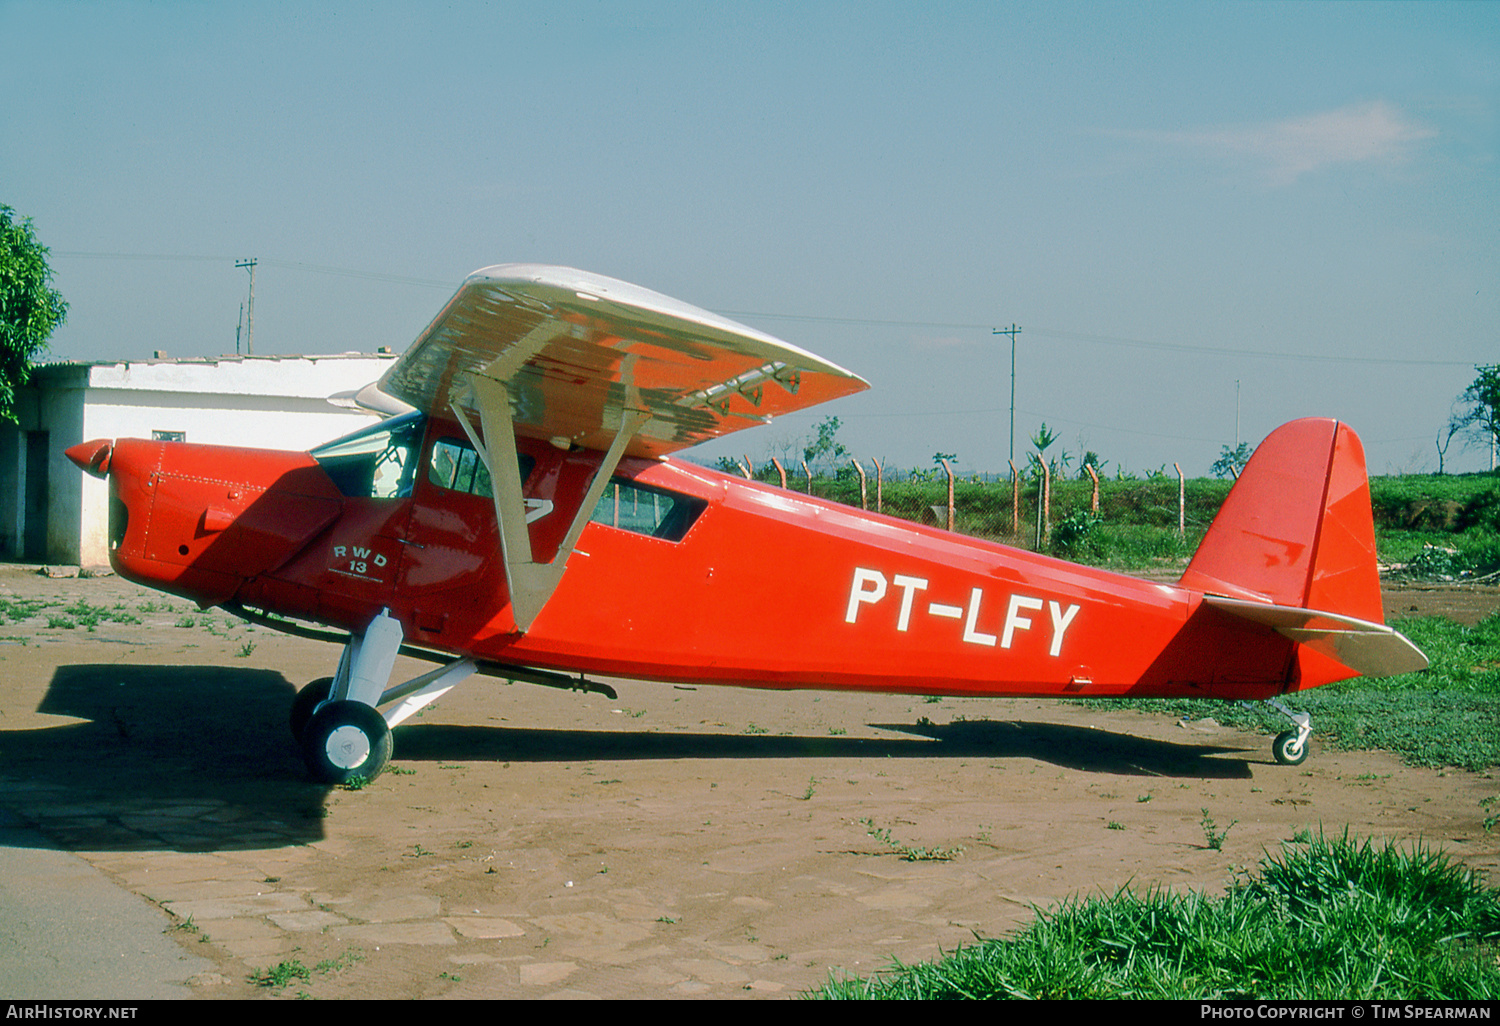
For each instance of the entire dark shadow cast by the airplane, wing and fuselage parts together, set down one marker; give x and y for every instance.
(200, 758)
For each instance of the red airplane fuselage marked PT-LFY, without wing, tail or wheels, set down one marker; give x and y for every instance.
(682, 575)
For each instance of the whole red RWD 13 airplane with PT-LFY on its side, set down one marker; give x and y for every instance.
(526, 523)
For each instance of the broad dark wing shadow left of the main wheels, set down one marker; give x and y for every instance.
(187, 758)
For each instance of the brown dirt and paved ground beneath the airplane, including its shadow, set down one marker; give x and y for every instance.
(676, 842)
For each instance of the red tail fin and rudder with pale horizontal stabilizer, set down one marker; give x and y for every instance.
(1294, 548)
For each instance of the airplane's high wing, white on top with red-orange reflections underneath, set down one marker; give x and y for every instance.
(578, 352)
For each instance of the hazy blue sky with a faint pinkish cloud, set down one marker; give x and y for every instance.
(1207, 218)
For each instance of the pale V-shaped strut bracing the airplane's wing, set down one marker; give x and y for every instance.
(532, 584)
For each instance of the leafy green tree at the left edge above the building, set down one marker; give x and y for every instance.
(31, 308)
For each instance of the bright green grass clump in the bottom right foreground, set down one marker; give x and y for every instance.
(1328, 920)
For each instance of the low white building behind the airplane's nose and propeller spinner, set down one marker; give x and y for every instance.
(52, 512)
